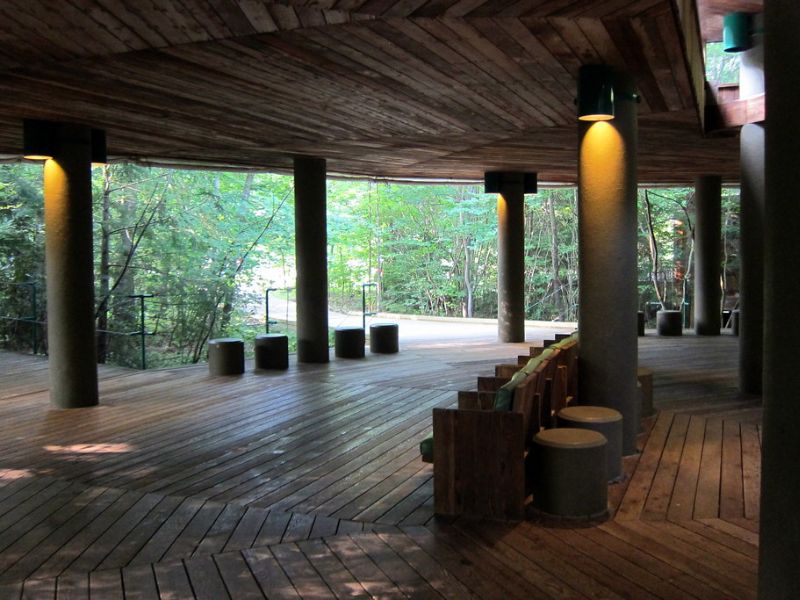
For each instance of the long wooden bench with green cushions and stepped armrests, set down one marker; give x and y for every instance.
(480, 449)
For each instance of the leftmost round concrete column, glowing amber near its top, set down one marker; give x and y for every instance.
(69, 266)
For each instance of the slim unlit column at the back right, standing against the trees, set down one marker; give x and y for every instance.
(707, 254)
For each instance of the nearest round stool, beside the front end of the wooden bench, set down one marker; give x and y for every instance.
(568, 473)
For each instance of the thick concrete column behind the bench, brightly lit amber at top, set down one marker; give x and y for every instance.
(607, 254)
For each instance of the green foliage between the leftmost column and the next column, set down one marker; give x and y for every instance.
(202, 240)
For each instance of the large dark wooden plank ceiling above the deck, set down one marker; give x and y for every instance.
(380, 88)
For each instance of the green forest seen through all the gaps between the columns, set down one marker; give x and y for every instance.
(204, 246)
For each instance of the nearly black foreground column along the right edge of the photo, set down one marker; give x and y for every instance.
(780, 478)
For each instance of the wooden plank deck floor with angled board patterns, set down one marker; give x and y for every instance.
(309, 484)
